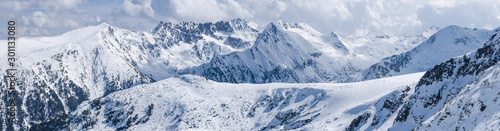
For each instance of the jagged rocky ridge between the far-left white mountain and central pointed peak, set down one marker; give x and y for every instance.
(188, 44)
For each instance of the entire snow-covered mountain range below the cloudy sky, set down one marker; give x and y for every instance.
(229, 75)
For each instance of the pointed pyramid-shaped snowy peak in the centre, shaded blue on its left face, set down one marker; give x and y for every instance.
(285, 52)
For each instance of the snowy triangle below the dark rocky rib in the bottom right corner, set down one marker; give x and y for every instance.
(476, 106)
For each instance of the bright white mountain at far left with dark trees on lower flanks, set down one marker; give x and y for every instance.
(56, 74)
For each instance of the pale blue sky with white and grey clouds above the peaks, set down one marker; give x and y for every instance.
(344, 17)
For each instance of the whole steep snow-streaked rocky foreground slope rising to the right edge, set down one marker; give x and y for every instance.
(454, 95)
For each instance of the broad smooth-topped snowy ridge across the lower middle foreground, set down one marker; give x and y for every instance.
(191, 102)
